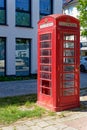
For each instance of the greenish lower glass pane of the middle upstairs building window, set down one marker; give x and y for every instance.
(22, 19)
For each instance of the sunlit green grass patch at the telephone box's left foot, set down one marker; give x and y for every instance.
(15, 108)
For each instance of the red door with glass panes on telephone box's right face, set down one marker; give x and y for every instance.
(69, 64)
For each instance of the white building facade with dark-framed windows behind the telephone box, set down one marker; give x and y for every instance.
(18, 34)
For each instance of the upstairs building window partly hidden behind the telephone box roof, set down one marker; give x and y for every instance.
(46, 7)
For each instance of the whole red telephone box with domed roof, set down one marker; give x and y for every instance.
(58, 62)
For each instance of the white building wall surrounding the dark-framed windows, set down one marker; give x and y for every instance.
(11, 33)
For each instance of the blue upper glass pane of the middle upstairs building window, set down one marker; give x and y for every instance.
(22, 5)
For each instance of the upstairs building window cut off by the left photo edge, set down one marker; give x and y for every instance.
(3, 12)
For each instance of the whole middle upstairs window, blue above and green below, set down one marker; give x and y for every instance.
(23, 13)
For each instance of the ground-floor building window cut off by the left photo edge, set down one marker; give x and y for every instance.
(2, 56)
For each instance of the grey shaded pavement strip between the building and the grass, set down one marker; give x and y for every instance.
(14, 88)
